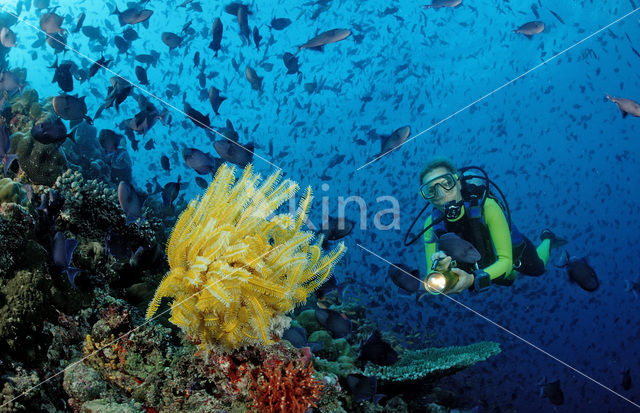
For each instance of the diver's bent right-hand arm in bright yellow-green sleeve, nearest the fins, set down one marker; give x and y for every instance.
(501, 238)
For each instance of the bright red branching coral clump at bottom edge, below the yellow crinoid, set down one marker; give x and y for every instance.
(289, 388)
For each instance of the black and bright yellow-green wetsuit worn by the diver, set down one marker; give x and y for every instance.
(496, 247)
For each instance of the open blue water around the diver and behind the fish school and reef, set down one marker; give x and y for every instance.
(562, 154)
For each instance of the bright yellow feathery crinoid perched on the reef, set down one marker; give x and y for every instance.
(233, 271)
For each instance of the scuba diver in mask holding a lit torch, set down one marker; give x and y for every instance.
(465, 205)
